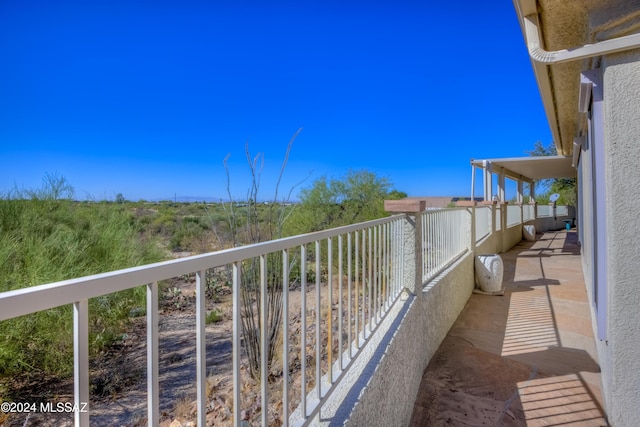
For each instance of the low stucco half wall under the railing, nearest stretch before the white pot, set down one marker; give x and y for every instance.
(389, 396)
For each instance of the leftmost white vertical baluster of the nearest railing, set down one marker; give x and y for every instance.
(81, 362)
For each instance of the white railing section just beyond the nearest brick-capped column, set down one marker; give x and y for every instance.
(445, 237)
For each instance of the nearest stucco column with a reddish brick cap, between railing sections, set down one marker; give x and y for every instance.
(411, 241)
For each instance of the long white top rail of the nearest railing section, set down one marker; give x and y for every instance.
(32, 299)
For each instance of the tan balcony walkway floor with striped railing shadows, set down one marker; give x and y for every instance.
(525, 358)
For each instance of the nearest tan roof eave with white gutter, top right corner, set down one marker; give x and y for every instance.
(566, 38)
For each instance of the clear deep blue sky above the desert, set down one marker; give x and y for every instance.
(146, 98)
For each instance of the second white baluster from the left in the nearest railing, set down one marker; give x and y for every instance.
(153, 387)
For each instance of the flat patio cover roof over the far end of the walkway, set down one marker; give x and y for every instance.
(530, 168)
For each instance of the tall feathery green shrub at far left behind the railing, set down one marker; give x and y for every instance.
(46, 240)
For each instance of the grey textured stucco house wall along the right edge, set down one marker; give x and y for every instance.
(621, 355)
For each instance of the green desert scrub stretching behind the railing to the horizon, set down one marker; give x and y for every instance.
(49, 236)
